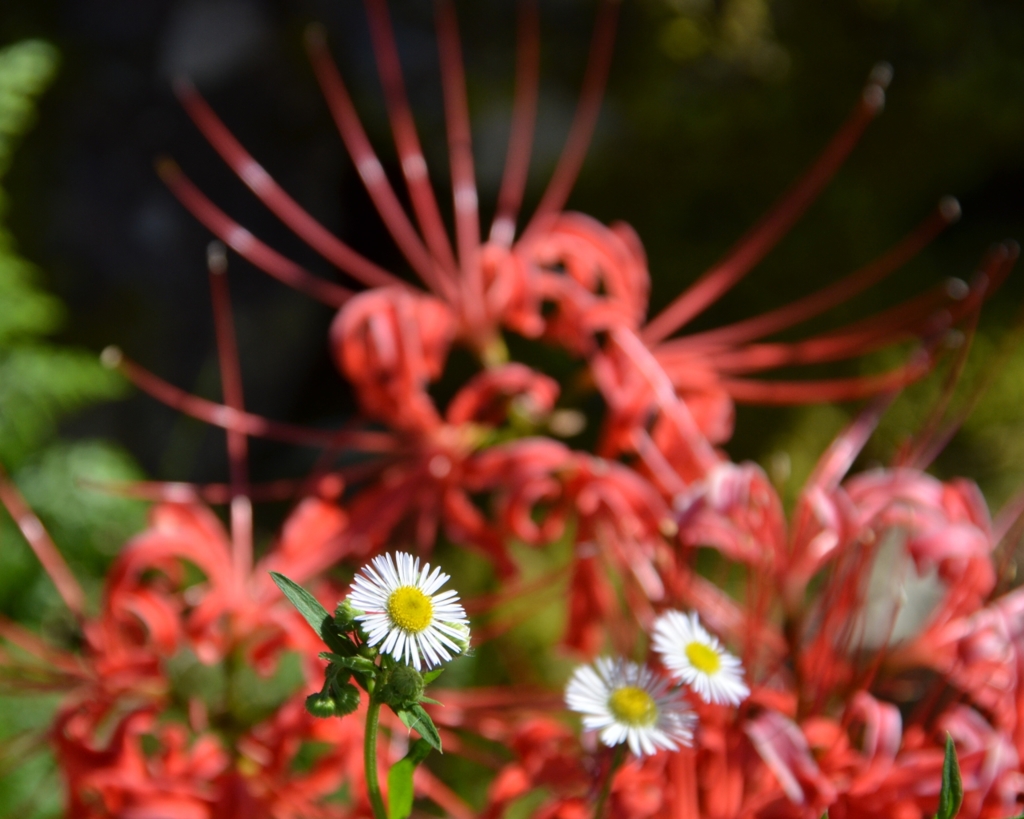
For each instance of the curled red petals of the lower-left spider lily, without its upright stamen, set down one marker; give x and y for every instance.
(119, 692)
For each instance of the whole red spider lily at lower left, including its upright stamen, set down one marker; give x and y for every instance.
(134, 738)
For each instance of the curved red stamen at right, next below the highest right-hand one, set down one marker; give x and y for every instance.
(818, 304)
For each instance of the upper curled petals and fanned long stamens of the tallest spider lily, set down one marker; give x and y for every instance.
(393, 342)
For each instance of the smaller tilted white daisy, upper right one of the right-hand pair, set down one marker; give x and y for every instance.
(697, 659)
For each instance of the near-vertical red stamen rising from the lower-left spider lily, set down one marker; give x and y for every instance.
(231, 378)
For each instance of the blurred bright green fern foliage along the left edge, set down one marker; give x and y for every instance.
(41, 382)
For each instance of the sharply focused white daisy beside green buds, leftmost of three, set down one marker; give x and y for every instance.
(403, 614)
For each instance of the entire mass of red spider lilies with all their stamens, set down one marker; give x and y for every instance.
(871, 621)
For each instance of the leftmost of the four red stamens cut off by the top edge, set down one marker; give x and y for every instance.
(414, 166)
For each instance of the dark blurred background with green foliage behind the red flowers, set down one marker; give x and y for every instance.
(714, 108)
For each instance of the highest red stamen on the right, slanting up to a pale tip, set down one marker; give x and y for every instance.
(763, 237)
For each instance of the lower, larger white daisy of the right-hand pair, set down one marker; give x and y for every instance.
(629, 703)
